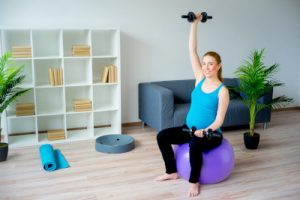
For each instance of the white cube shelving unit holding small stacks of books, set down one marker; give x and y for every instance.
(81, 80)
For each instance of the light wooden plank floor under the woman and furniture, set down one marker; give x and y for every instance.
(270, 172)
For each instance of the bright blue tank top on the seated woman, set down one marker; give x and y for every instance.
(204, 107)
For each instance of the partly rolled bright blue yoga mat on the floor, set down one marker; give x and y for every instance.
(52, 159)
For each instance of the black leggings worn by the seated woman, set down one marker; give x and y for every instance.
(176, 135)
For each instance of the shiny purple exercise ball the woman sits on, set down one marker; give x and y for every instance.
(216, 166)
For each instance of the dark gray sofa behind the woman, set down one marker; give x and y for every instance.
(165, 104)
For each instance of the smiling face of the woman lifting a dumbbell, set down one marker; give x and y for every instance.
(210, 67)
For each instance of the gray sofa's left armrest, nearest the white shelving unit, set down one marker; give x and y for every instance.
(156, 105)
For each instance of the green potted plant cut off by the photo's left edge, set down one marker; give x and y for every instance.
(10, 78)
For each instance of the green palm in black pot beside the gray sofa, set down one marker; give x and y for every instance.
(255, 80)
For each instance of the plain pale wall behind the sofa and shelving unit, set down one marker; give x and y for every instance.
(155, 39)
